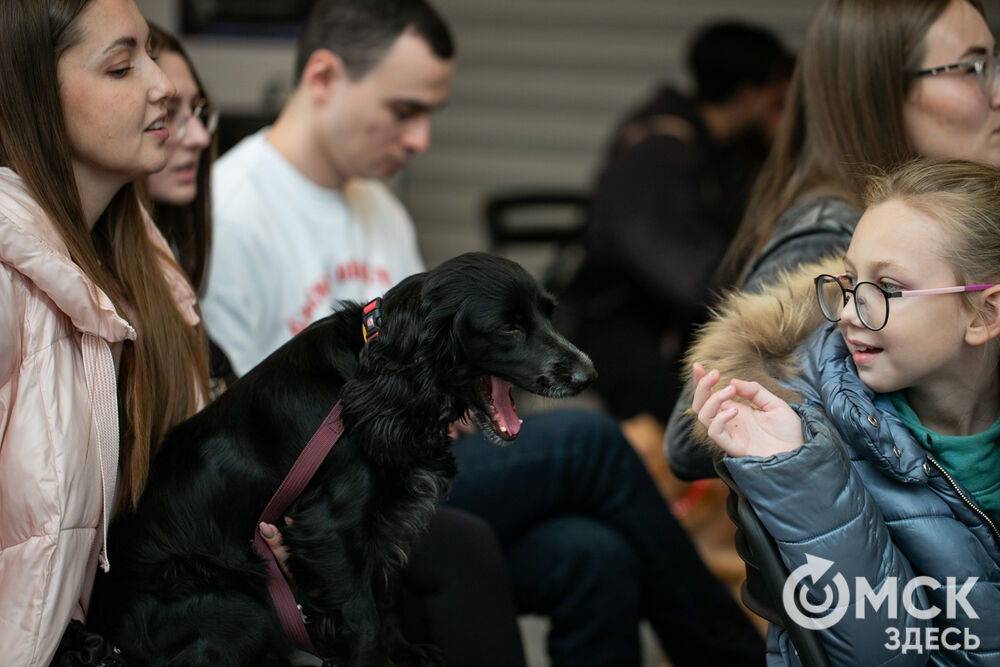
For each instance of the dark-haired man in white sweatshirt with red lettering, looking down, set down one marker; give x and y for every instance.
(302, 219)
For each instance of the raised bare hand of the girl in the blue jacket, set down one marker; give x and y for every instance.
(767, 426)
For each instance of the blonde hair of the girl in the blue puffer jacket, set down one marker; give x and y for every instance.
(964, 197)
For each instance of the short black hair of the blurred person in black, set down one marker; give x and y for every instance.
(727, 55)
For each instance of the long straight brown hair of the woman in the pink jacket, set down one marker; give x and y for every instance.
(163, 373)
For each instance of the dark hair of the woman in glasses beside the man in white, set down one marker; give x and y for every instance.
(187, 229)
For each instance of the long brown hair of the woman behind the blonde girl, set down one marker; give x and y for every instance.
(844, 112)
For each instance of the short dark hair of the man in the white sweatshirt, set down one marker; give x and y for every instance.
(360, 32)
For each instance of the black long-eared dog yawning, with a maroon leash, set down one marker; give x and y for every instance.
(186, 588)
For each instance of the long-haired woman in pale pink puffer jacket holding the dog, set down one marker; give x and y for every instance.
(99, 354)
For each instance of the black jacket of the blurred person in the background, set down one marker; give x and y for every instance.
(665, 206)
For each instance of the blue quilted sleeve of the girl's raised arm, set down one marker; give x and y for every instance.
(814, 504)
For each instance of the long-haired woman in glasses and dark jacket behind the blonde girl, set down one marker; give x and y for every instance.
(879, 83)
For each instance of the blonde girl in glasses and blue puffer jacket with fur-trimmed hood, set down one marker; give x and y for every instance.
(870, 447)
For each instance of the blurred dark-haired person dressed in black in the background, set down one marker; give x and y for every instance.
(666, 203)
